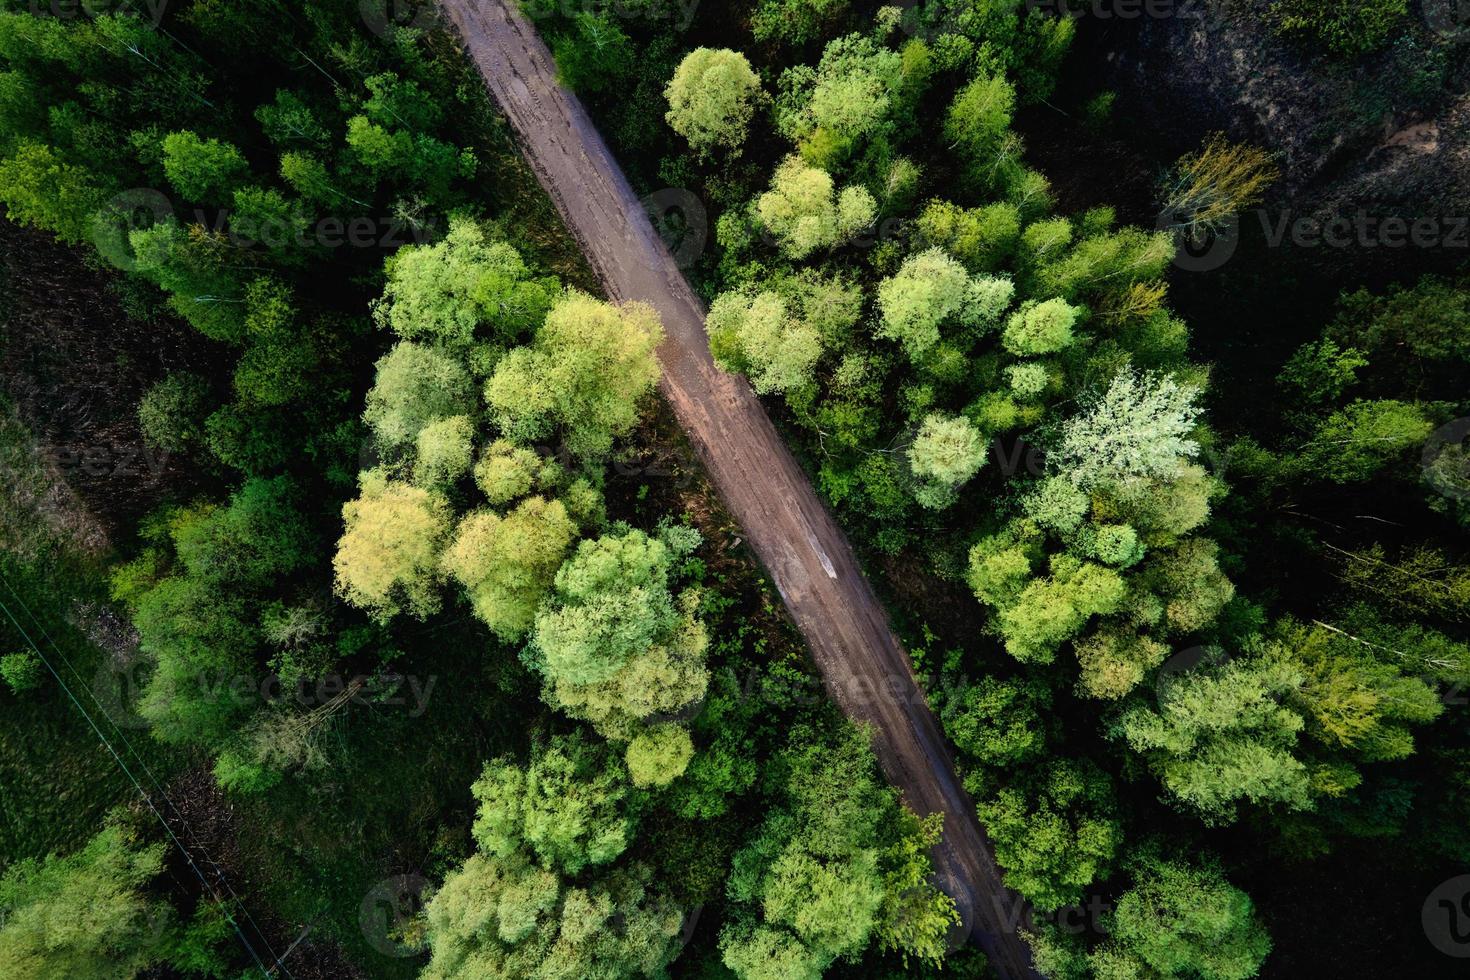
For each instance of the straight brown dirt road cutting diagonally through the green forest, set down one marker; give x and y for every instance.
(808, 556)
